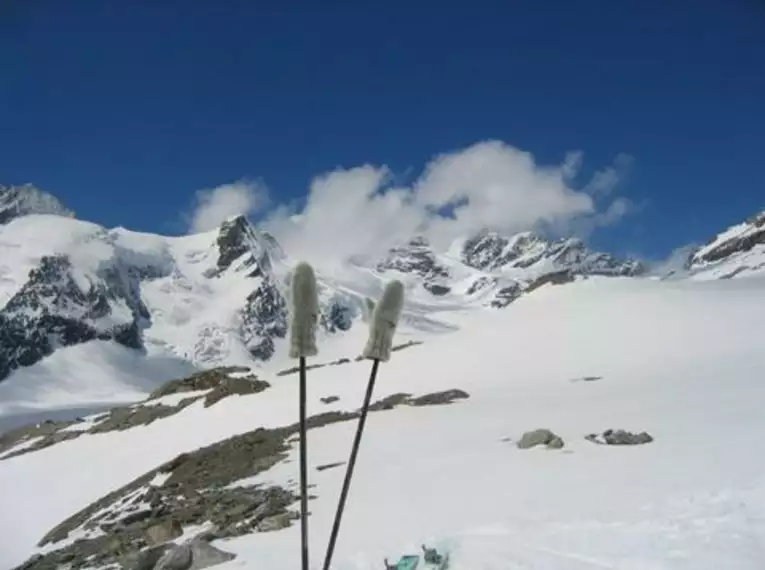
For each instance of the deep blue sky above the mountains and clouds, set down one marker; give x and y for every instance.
(125, 109)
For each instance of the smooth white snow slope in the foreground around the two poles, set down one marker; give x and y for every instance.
(682, 360)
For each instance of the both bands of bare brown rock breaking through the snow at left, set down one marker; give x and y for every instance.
(204, 490)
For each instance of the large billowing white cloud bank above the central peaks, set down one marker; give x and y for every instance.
(358, 211)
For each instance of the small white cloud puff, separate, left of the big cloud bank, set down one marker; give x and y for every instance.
(214, 206)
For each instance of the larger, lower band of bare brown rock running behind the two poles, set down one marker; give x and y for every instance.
(203, 488)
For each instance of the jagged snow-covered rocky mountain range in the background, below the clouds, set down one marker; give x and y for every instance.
(222, 298)
